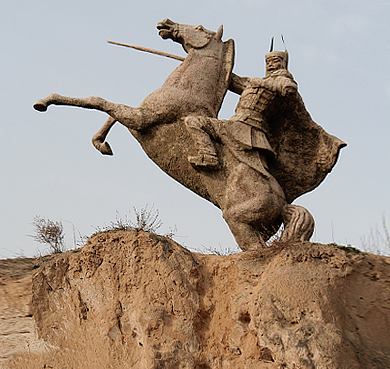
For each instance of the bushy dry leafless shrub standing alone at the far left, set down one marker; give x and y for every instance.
(49, 232)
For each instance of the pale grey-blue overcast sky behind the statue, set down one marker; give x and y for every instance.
(339, 55)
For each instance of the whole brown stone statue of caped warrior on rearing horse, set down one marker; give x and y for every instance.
(252, 166)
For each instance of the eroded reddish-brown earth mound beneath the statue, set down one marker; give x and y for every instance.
(137, 300)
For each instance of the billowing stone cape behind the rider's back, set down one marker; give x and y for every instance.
(305, 152)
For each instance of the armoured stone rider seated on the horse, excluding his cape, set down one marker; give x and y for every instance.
(248, 128)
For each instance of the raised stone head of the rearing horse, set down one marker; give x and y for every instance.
(190, 37)
